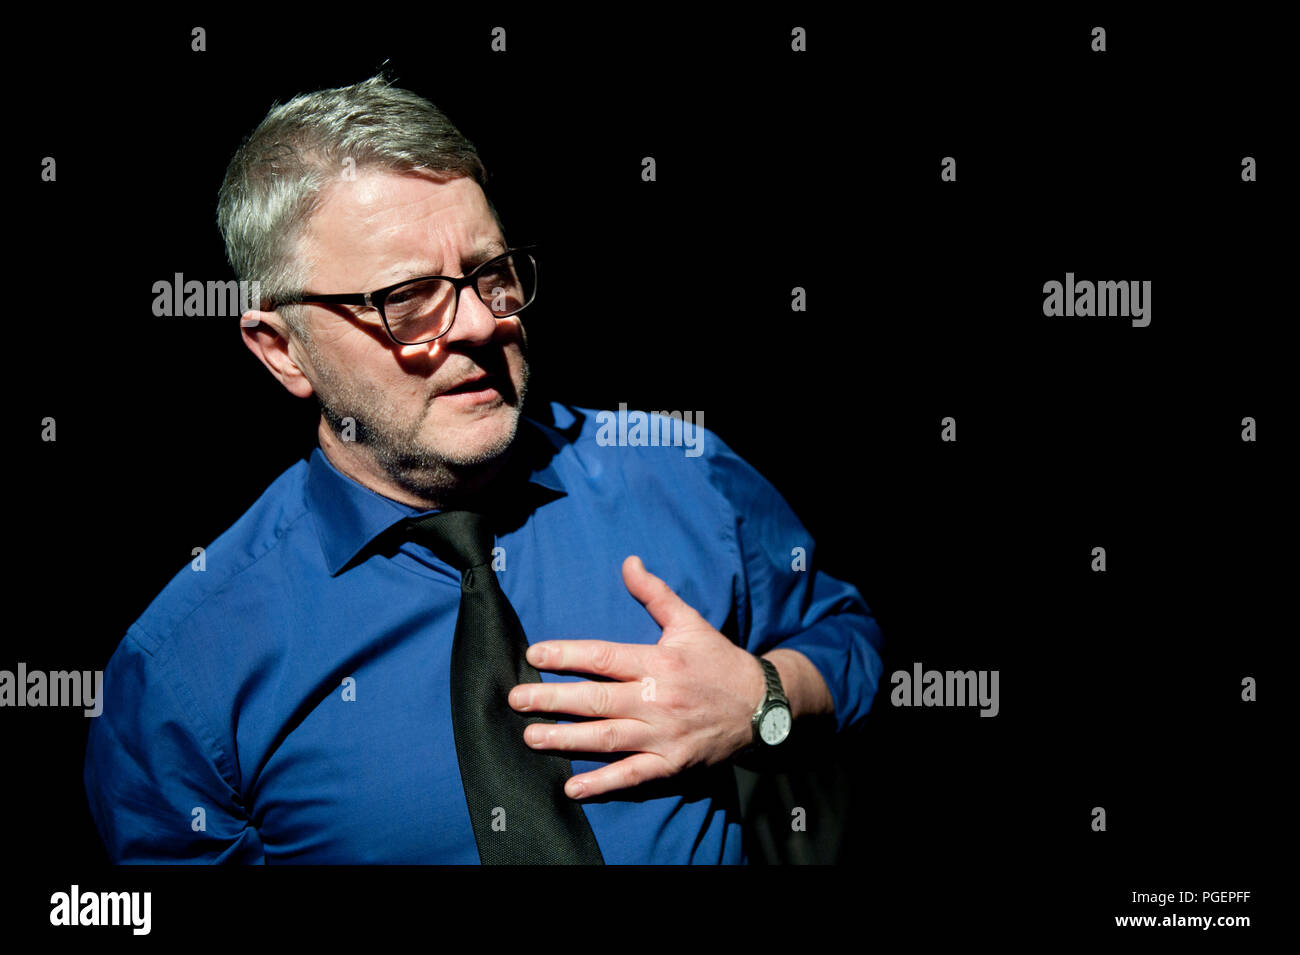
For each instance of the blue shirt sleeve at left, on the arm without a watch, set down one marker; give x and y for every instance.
(154, 778)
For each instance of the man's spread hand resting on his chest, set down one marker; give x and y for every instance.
(686, 701)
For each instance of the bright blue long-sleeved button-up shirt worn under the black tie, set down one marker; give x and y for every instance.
(291, 701)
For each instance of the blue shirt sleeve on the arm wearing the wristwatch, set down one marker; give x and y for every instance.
(787, 601)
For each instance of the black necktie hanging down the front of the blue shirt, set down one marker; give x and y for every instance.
(515, 795)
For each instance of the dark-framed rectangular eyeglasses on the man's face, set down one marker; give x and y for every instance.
(422, 310)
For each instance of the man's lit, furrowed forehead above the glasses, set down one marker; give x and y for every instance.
(387, 225)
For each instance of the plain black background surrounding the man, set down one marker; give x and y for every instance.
(775, 170)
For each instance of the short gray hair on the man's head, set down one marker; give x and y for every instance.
(278, 177)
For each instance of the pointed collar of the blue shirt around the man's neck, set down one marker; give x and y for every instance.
(349, 515)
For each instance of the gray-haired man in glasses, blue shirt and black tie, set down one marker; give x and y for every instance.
(328, 689)
